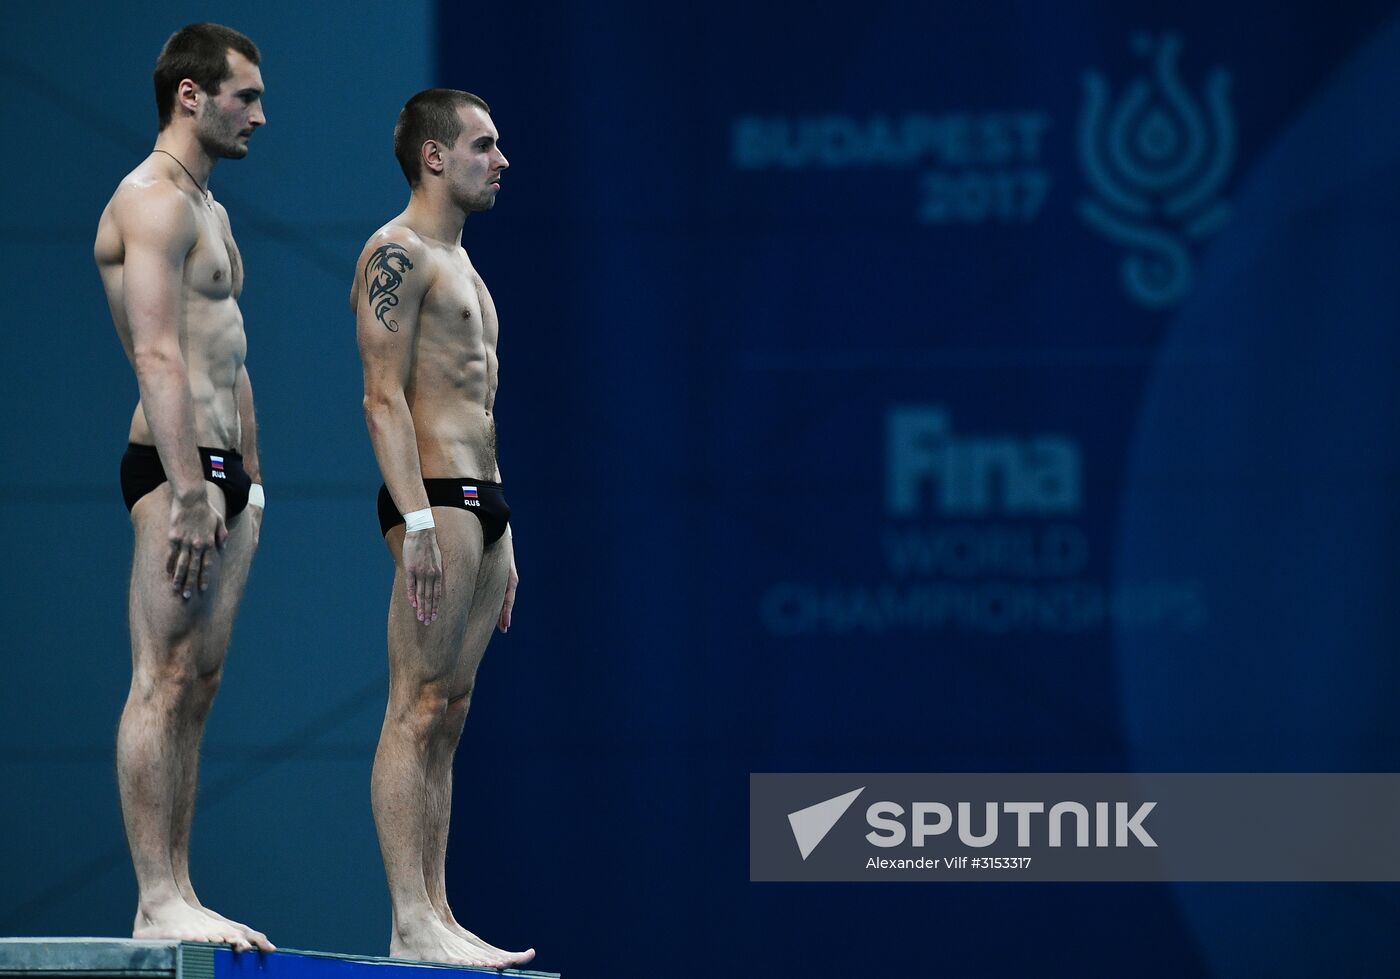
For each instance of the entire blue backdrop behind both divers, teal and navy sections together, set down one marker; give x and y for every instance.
(902, 387)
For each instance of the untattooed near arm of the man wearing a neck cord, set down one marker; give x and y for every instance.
(159, 233)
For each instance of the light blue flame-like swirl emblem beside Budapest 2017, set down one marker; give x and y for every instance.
(1157, 162)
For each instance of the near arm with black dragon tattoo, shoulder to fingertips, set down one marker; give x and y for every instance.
(391, 281)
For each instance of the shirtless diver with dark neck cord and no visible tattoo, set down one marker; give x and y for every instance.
(190, 477)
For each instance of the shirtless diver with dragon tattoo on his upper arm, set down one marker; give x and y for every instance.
(428, 337)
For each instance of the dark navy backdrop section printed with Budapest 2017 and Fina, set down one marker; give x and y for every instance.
(915, 389)
